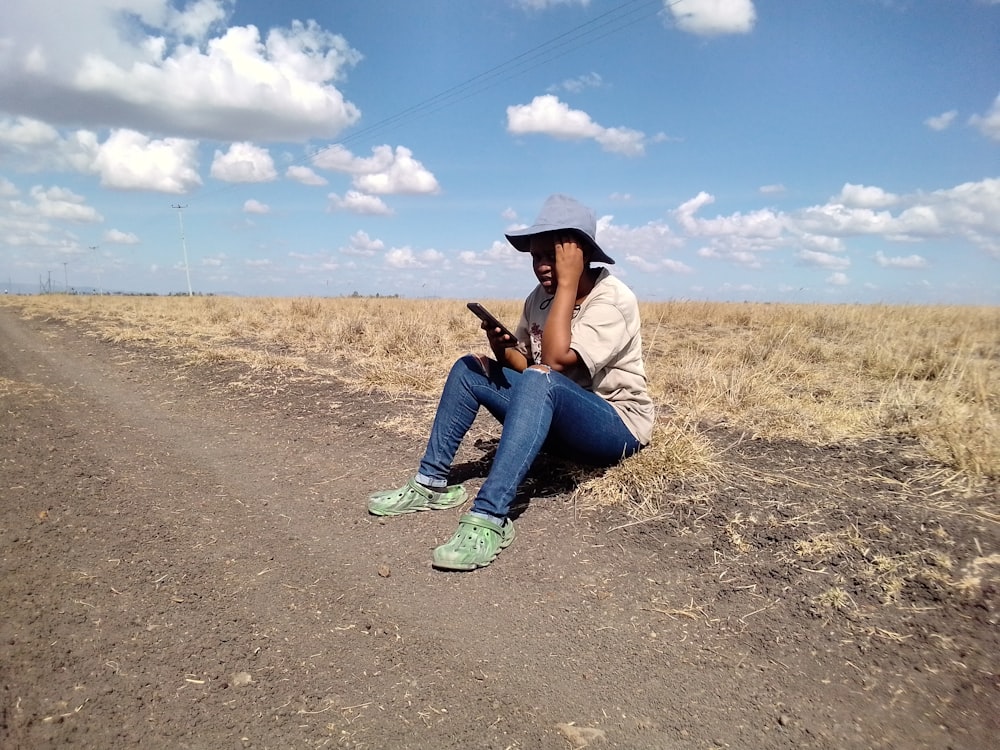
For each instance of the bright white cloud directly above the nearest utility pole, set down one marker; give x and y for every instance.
(131, 161)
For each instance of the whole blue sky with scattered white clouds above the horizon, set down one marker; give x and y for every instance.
(765, 150)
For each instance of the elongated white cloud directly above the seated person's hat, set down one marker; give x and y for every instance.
(547, 115)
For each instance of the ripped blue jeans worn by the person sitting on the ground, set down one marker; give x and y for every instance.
(537, 408)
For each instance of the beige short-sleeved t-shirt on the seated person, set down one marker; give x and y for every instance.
(605, 334)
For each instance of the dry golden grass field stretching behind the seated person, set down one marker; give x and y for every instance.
(811, 373)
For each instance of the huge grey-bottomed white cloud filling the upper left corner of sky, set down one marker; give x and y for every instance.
(146, 66)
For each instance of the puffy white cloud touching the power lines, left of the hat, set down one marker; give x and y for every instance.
(385, 172)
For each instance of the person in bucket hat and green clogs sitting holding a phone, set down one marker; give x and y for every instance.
(573, 381)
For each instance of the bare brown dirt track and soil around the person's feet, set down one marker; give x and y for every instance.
(186, 562)
